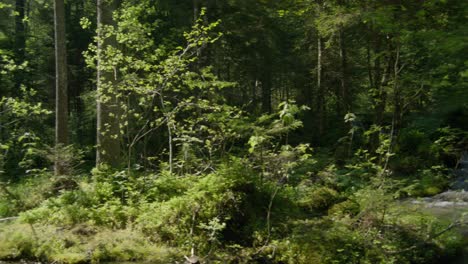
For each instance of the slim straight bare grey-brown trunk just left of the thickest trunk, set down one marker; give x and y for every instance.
(61, 89)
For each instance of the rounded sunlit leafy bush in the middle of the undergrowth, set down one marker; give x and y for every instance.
(199, 215)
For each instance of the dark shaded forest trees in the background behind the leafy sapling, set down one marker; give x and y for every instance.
(393, 64)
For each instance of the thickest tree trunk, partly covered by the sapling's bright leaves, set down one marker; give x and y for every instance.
(108, 114)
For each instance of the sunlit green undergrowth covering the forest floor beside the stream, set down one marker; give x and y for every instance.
(232, 215)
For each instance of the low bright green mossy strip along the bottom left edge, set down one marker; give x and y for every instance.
(55, 244)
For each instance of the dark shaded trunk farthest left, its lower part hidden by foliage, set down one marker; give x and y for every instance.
(20, 39)
